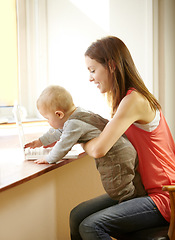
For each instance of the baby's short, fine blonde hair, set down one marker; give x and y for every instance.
(55, 98)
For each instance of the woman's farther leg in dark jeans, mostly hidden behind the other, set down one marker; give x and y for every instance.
(85, 209)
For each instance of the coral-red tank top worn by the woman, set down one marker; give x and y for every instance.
(156, 152)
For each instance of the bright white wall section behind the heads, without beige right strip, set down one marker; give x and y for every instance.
(62, 31)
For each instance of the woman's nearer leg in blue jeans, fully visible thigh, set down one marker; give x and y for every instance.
(120, 219)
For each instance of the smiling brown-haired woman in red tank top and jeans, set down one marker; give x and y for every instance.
(137, 113)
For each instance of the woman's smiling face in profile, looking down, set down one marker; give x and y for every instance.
(98, 74)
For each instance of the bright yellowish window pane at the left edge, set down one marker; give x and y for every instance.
(8, 59)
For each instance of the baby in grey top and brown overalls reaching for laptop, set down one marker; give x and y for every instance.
(71, 125)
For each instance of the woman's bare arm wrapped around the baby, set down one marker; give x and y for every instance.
(133, 108)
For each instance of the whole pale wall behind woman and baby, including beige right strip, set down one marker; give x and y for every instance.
(54, 34)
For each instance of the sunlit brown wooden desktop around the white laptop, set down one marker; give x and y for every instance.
(13, 169)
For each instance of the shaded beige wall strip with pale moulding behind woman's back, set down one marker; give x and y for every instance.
(164, 58)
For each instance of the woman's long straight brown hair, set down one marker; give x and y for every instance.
(112, 53)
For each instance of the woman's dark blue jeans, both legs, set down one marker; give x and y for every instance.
(103, 217)
